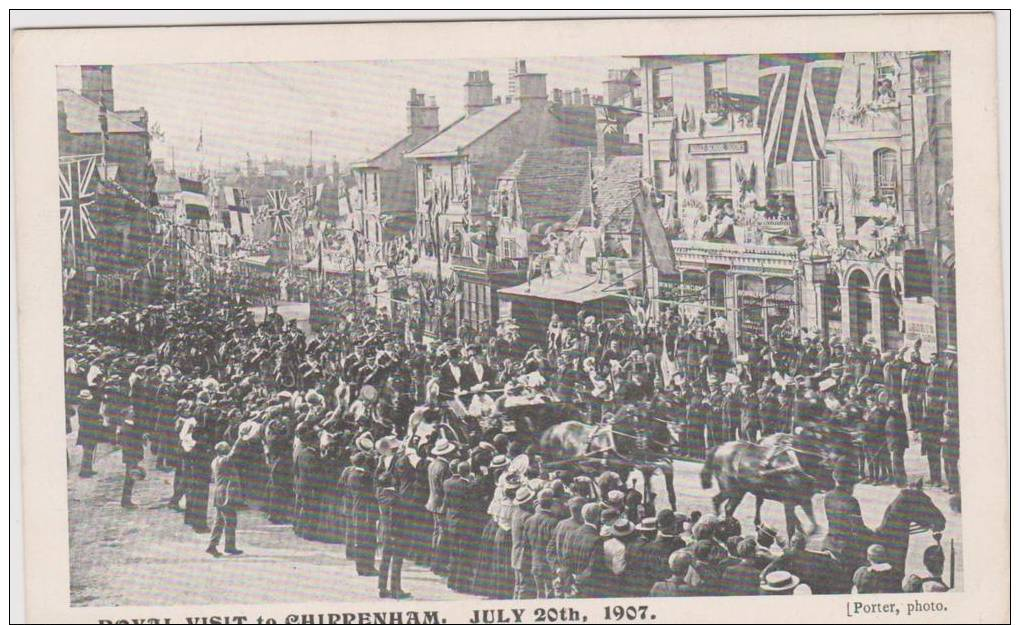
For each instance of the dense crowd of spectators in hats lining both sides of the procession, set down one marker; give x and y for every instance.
(344, 436)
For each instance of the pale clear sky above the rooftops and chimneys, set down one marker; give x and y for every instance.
(354, 109)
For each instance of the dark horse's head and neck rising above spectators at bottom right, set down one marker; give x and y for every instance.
(911, 512)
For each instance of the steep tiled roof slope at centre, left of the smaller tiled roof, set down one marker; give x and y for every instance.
(554, 185)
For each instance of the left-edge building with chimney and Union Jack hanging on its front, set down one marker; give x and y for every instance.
(111, 235)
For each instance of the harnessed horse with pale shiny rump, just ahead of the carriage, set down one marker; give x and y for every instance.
(633, 439)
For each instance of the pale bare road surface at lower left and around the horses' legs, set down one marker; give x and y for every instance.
(149, 557)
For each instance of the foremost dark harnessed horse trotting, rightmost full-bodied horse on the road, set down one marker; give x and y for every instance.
(740, 467)
